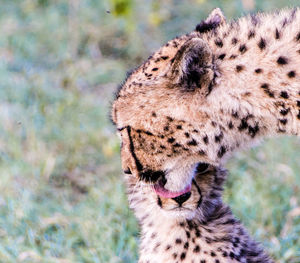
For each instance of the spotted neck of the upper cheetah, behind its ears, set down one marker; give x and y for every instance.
(257, 94)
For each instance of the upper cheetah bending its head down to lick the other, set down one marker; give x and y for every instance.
(203, 95)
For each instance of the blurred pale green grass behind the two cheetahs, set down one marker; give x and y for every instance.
(61, 192)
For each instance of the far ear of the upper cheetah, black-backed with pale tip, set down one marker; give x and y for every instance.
(214, 20)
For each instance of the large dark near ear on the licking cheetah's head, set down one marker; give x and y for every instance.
(193, 66)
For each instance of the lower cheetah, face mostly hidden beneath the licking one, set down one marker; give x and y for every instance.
(193, 227)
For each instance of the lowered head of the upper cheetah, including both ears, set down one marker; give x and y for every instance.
(157, 111)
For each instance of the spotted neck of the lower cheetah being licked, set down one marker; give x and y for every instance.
(166, 238)
